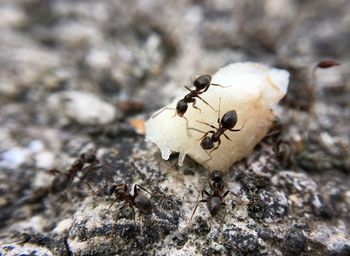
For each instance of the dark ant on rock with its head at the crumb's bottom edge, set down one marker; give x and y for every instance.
(214, 201)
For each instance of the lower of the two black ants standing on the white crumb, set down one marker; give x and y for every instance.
(227, 122)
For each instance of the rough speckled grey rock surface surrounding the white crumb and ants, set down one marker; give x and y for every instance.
(132, 57)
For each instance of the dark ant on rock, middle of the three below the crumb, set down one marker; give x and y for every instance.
(136, 200)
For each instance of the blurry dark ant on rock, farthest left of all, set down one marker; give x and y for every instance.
(63, 180)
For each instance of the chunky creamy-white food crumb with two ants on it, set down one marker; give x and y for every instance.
(251, 89)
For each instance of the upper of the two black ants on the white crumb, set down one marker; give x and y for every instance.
(201, 84)
